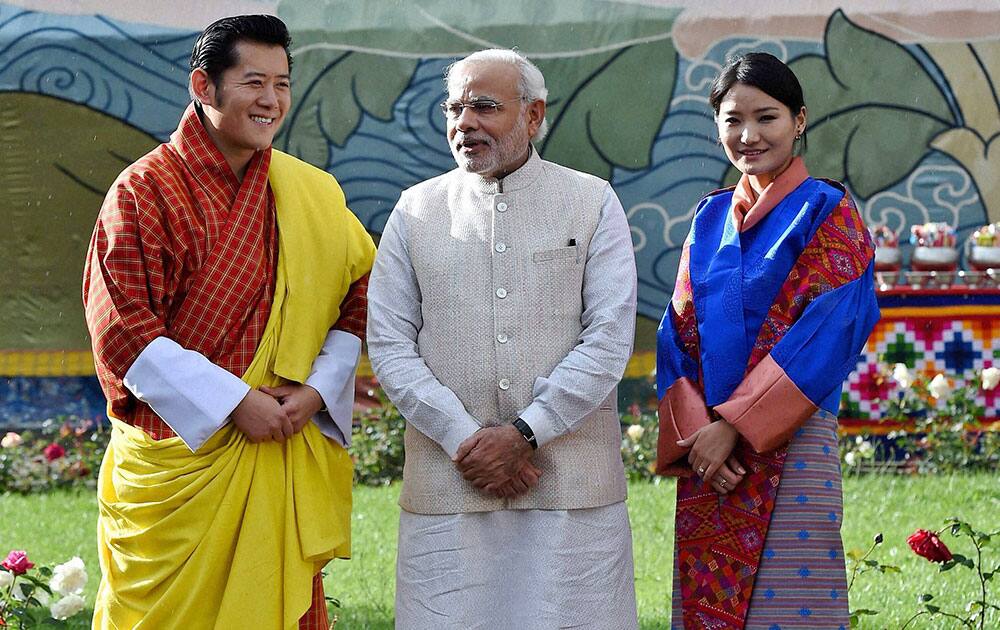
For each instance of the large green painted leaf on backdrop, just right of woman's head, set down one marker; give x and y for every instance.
(861, 130)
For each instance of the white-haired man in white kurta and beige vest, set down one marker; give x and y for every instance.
(501, 318)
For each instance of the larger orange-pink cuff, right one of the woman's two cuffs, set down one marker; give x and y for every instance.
(767, 407)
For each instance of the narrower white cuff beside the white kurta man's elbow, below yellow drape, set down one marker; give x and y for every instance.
(333, 377)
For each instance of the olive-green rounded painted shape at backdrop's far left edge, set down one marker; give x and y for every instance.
(60, 158)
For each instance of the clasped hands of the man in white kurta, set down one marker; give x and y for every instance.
(497, 460)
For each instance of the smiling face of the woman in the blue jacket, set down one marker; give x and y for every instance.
(757, 131)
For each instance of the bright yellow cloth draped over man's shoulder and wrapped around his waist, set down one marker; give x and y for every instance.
(199, 537)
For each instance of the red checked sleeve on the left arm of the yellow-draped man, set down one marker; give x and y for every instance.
(123, 288)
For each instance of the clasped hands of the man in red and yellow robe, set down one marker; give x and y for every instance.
(276, 413)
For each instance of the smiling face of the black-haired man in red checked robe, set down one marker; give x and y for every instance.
(245, 109)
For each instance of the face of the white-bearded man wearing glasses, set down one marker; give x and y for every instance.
(491, 144)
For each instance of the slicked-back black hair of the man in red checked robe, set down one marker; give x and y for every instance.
(215, 49)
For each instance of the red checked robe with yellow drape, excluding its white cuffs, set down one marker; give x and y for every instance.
(252, 274)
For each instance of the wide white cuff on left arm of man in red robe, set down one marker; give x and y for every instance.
(190, 393)
